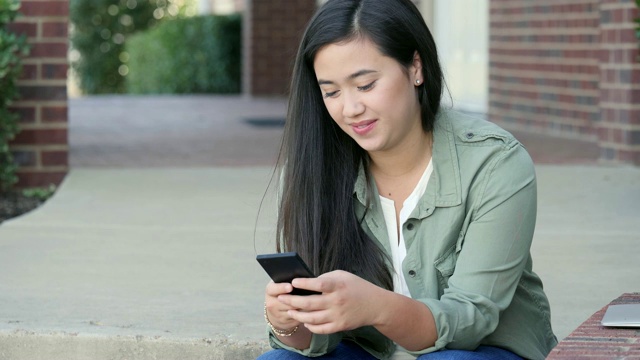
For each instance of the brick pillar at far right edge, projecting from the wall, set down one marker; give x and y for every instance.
(619, 126)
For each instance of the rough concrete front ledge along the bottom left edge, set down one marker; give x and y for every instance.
(23, 344)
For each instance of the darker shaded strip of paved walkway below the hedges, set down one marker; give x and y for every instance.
(165, 131)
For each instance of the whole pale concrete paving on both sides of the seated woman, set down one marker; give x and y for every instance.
(147, 249)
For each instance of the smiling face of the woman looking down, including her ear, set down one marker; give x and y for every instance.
(370, 96)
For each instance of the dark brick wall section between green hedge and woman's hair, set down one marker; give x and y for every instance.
(276, 28)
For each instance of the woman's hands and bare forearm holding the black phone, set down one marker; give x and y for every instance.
(349, 302)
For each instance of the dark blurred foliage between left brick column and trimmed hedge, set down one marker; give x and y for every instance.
(100, 29)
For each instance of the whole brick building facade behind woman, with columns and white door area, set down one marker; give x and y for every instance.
(565, 67)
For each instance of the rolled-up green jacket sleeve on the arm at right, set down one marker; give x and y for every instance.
(491, 254)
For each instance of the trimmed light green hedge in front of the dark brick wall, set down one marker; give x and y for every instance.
(191, 55)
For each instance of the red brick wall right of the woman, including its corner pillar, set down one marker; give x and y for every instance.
(567, 67)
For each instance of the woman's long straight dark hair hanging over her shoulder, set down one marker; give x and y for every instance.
(319, 161)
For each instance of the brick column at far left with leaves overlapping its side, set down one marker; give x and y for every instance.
(41, 148)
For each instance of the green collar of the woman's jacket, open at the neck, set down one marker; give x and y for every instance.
(444, 188)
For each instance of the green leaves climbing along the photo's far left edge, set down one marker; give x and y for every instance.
(12, 49)
